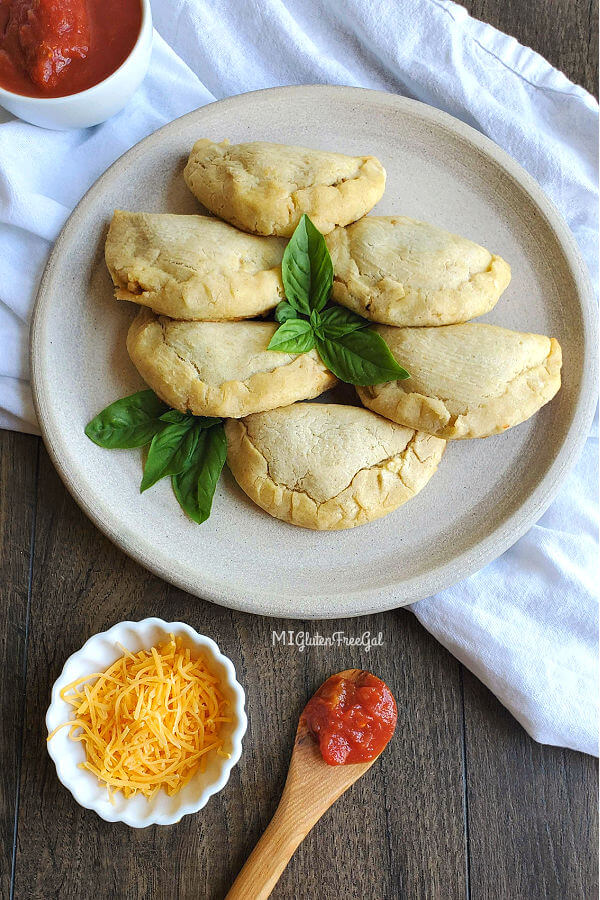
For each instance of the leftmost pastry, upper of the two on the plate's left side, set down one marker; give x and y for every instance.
(193, 267)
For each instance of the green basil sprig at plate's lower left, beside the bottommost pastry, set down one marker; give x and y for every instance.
(191, 449)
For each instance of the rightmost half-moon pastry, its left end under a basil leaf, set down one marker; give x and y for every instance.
(467, 381)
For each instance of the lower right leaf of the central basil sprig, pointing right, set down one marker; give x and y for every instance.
(360, 357)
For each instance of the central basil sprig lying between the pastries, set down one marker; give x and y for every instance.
(345, 343)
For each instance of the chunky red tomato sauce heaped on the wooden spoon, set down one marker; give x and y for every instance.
(352, 720)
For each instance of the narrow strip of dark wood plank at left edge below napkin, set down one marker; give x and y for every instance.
(18, 461)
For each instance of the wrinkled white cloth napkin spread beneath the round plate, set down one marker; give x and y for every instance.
(526, 624)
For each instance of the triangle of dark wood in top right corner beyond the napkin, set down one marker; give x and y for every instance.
(565, 32)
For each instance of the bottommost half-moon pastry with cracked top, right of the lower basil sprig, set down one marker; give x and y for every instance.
(328, 467)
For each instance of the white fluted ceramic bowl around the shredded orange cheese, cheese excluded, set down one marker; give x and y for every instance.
(95, 656)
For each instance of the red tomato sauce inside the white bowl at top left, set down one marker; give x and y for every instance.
(52, 48)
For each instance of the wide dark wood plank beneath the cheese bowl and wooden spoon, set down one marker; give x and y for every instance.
(399, 832)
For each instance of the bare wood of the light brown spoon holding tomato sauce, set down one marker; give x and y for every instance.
(310, 789)
